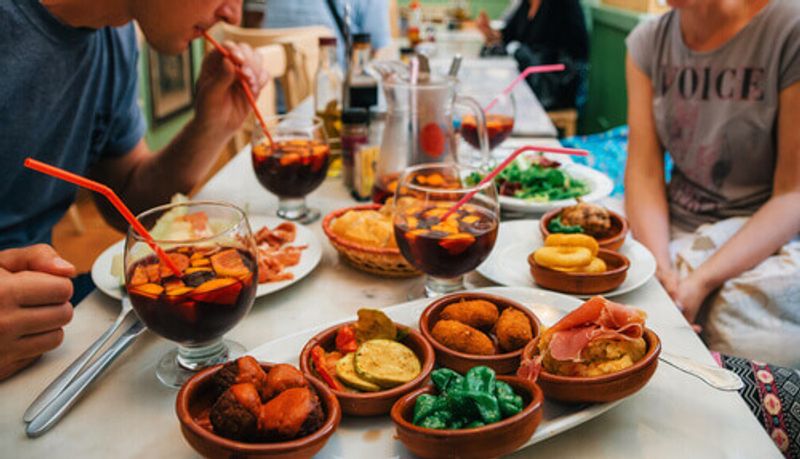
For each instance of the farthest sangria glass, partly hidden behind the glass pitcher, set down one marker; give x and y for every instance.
(499, 120)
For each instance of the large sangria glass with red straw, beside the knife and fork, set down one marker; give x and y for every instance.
(212, 246)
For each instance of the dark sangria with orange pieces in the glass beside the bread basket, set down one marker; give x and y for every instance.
(445, 248)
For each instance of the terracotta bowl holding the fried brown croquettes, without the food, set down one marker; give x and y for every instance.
(506, 363)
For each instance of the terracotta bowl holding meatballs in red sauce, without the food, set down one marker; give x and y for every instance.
(195, 400)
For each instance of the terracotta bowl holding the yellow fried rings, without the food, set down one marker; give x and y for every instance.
(583, 283)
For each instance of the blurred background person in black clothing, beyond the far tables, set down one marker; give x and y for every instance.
(538, 32)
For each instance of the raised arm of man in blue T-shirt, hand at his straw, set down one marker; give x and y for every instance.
(144, 179)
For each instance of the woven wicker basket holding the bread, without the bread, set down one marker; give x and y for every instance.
(385, 262)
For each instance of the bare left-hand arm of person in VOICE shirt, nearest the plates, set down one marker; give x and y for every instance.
(645, 186)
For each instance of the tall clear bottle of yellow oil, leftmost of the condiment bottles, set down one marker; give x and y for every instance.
(328, 84)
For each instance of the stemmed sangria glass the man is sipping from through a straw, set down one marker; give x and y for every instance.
(295, 165)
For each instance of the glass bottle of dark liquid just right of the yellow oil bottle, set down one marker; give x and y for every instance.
(361, 88)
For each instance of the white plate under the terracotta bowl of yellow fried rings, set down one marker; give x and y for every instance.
(508, 262)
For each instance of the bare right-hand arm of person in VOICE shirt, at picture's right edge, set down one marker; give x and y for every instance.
(775, 223)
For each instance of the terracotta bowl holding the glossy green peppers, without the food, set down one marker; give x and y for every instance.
(493, 440)
